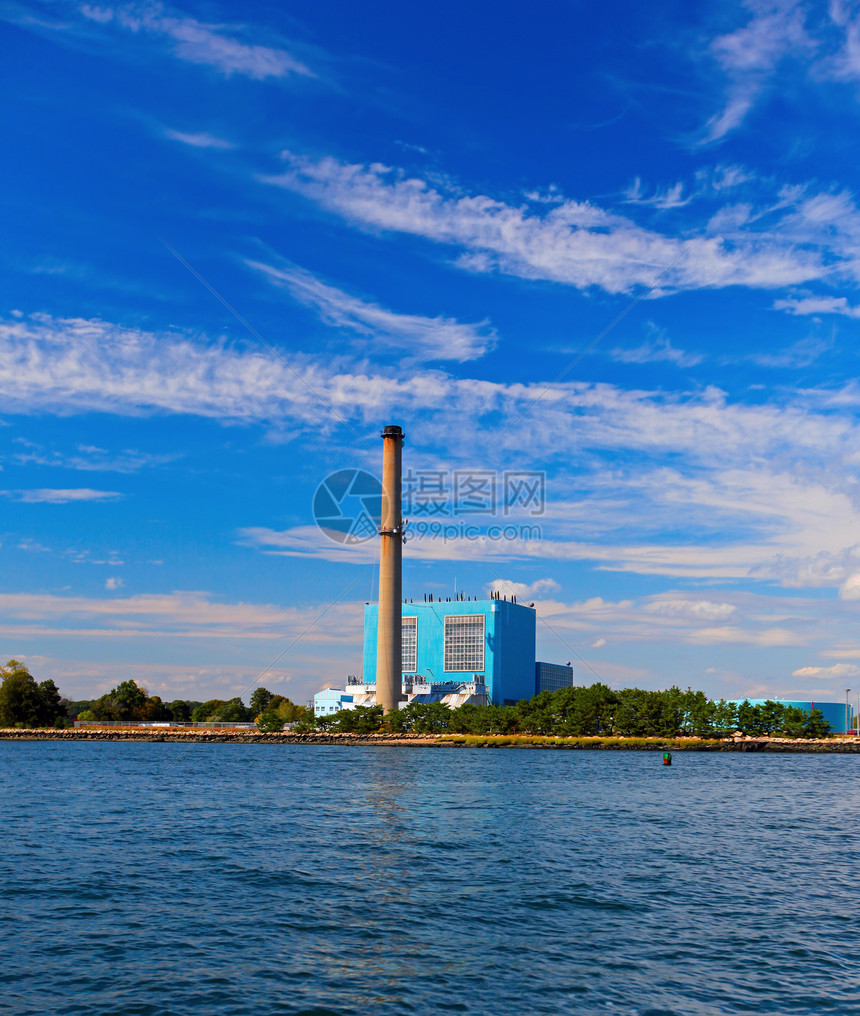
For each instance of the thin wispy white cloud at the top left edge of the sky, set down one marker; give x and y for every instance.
(213, 45)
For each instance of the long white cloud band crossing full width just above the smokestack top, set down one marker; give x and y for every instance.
(76, 365)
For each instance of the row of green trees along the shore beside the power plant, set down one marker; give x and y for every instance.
(578, 712)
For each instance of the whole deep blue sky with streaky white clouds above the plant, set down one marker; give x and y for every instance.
(239, 240)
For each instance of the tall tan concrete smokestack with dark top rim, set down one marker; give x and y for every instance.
(390, 647)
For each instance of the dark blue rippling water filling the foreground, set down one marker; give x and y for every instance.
(156, 878)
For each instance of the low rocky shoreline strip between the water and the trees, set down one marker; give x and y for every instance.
(215, 736)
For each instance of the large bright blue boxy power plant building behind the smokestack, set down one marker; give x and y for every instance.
(459, 641)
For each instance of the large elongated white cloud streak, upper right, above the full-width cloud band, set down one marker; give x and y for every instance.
(574, 242)
